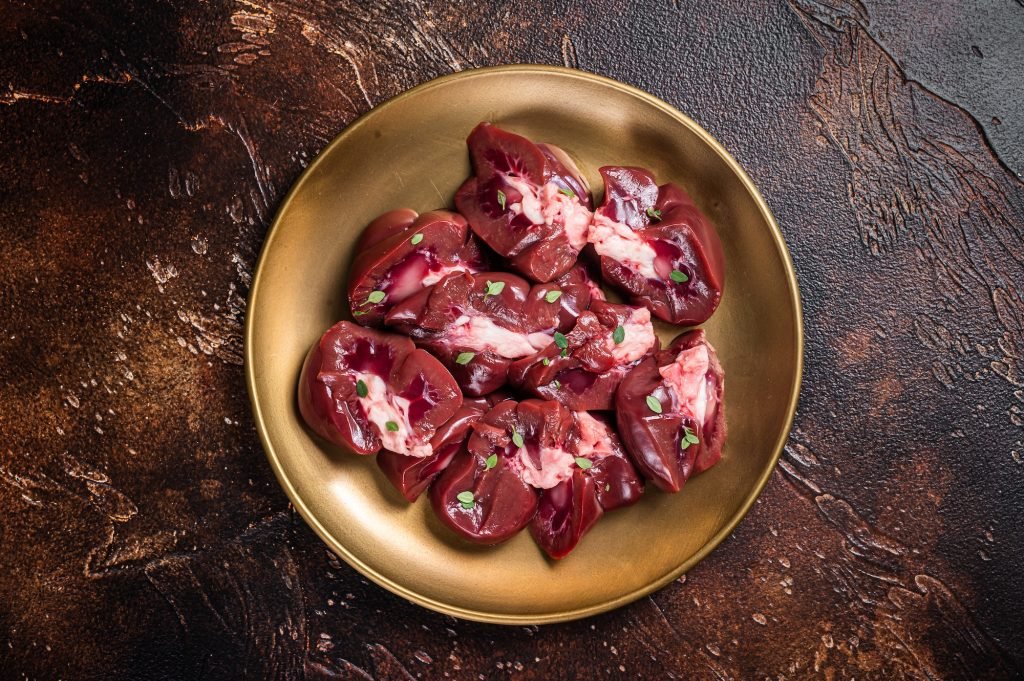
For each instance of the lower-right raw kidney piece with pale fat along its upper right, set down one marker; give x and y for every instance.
(670, 412)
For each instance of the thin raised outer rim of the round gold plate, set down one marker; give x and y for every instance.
(611, 605)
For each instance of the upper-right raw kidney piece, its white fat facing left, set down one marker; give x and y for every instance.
(657, 247)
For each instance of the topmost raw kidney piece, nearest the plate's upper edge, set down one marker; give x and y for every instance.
(528, 202)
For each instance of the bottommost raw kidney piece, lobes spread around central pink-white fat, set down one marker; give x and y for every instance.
(535, 462)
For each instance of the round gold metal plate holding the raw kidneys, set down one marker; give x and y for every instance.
(412, 152)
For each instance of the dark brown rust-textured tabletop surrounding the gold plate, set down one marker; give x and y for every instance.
(144, 149)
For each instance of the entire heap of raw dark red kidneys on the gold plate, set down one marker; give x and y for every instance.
(493, 466)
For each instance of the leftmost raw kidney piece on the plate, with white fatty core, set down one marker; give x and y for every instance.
(368, 391)
